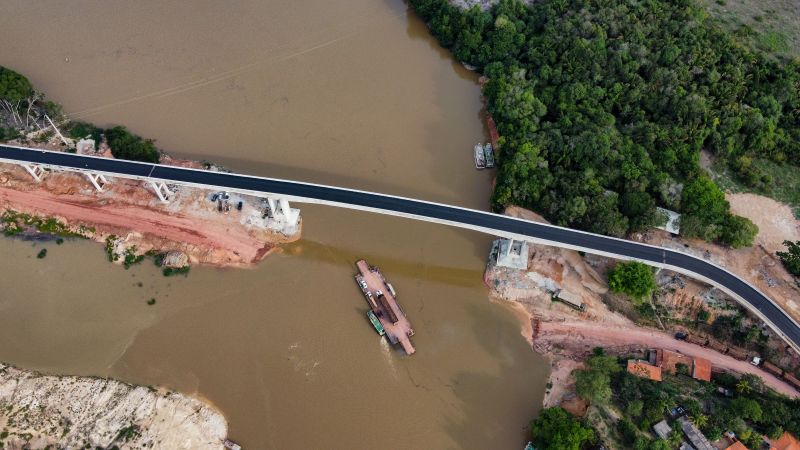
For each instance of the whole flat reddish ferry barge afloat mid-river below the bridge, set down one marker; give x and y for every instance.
(384, 313)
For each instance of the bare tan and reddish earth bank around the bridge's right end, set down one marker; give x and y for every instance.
(567, 336)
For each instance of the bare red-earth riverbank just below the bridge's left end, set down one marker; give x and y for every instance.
(130, 219)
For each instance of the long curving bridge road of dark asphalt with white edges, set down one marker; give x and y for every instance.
(421, 210)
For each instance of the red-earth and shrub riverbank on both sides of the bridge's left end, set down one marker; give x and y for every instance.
(32, 210)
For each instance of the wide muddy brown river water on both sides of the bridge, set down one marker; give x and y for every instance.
(351, 93)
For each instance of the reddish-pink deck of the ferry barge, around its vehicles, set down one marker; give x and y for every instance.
(398, 332)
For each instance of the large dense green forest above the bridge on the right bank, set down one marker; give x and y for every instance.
(604, 106)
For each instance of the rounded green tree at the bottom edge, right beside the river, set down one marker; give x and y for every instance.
(555, 429)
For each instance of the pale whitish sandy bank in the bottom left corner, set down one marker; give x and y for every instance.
(40, 411)
